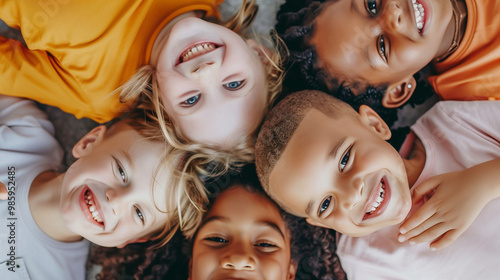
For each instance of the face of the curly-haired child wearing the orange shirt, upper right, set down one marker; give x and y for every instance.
(377, 41)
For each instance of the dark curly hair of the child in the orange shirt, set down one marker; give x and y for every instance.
(295, 27)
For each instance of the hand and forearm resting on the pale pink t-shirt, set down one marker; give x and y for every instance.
(457, 198)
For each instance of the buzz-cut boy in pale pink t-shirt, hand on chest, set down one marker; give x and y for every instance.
(321, 160)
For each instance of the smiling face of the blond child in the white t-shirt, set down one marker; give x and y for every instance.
(111, 195)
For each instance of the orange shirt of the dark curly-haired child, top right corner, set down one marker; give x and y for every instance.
(472, 72)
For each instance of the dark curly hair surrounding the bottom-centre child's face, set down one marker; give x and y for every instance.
(313, 248)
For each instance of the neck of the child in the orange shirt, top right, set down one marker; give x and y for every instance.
(455, 30)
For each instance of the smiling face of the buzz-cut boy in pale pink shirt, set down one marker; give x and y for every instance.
(333, 172)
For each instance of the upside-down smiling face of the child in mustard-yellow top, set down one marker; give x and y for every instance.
(212, 82)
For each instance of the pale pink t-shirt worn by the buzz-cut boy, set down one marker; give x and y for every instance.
(456, 135)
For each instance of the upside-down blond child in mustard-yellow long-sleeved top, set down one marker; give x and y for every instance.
(79, 52)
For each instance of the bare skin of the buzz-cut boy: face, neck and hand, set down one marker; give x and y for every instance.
(350, 165)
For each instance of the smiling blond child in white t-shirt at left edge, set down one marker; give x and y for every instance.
(114, 194)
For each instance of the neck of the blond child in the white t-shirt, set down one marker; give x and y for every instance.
(44, 202)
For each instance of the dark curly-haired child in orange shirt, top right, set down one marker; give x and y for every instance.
(368, 51)
